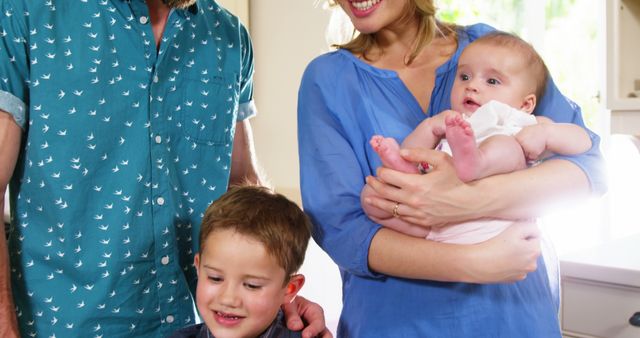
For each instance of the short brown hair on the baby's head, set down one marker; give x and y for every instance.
(530, 57)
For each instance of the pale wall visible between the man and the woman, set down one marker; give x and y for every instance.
(287, 34)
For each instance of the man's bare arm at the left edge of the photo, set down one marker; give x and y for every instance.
(9, 148)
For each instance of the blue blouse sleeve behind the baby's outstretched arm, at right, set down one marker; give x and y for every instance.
(560, 109)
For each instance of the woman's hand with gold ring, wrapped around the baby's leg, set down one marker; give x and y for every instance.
(434, 199)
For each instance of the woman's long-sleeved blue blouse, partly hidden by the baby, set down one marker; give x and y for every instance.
(342, 103)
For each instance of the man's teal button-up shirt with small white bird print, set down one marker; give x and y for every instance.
(124, 147)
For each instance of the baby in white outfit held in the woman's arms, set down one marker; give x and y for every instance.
(490, 129)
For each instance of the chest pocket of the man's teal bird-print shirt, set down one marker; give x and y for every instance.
(211, 108)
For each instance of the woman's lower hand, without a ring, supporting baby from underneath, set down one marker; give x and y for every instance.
(507, 257)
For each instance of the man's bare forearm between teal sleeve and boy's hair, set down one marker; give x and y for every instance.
(244, 165)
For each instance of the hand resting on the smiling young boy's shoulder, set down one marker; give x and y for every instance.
(311, 312)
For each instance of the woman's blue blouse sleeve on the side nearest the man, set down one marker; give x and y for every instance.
(331, 177)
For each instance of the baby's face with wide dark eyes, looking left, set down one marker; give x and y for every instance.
(487, 72)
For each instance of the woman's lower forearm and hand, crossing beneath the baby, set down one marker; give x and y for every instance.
(505, 258)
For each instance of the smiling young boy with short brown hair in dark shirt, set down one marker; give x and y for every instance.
(252, 242)
